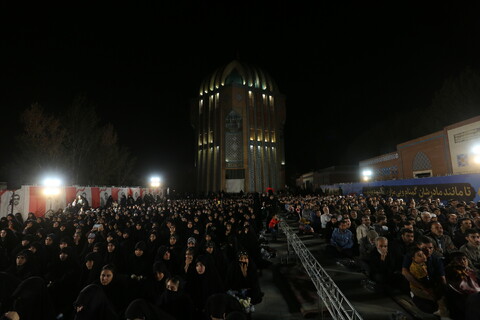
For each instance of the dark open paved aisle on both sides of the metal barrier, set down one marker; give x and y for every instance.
(289, 293)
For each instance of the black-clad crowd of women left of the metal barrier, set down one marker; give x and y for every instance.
(142, 259)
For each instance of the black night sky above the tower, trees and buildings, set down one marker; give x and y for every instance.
(341, 66)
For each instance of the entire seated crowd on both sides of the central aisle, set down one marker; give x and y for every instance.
(153, 258)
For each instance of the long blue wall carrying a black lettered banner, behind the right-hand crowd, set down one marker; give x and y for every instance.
(464, 187)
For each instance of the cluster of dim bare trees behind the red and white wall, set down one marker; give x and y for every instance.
(76, 145)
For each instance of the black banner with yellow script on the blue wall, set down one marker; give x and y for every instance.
(458, 191)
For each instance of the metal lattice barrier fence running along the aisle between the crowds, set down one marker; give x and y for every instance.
(333, 299)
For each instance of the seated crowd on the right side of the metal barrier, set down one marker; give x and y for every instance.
(427, 249)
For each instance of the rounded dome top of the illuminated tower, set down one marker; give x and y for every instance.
(238, 73)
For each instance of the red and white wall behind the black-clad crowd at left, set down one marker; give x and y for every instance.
(33, 198)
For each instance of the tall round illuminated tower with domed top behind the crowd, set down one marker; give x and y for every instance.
(238, 118)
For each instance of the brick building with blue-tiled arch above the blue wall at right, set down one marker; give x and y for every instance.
(453, 150)
